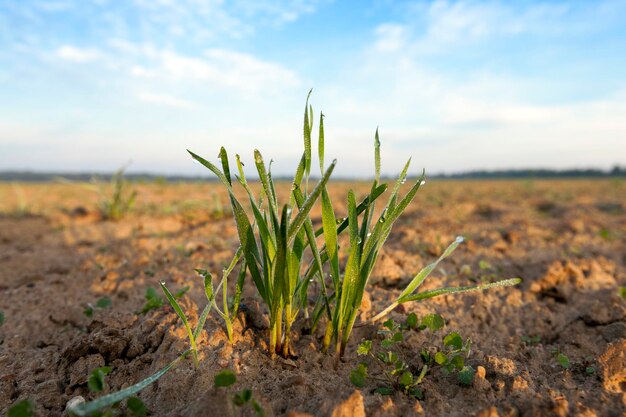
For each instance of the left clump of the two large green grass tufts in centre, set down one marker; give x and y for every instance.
(274, 241)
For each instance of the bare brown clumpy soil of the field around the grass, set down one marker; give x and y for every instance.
(566, 239)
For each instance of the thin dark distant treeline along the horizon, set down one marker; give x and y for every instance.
(28, 176)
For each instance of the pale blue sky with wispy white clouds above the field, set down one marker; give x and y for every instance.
(89, 85)
